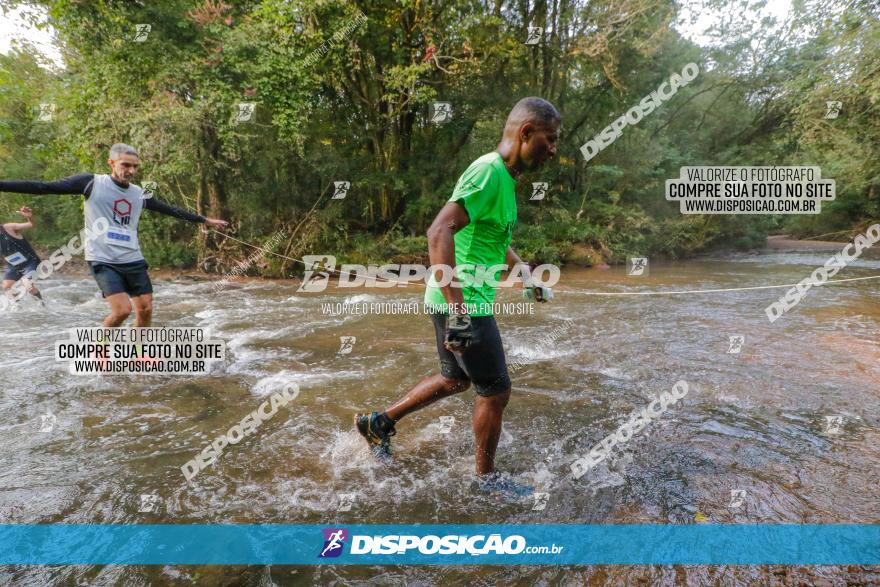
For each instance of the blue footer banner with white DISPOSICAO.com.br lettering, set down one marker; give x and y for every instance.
(438, 544)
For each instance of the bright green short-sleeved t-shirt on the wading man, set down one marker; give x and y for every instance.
(488, 194)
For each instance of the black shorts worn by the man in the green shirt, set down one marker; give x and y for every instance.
(482, 363)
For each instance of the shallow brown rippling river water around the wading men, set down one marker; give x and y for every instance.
(784, 431)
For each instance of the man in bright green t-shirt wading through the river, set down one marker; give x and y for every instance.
(472, 233)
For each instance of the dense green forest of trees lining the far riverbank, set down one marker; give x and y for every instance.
(341, 97)
